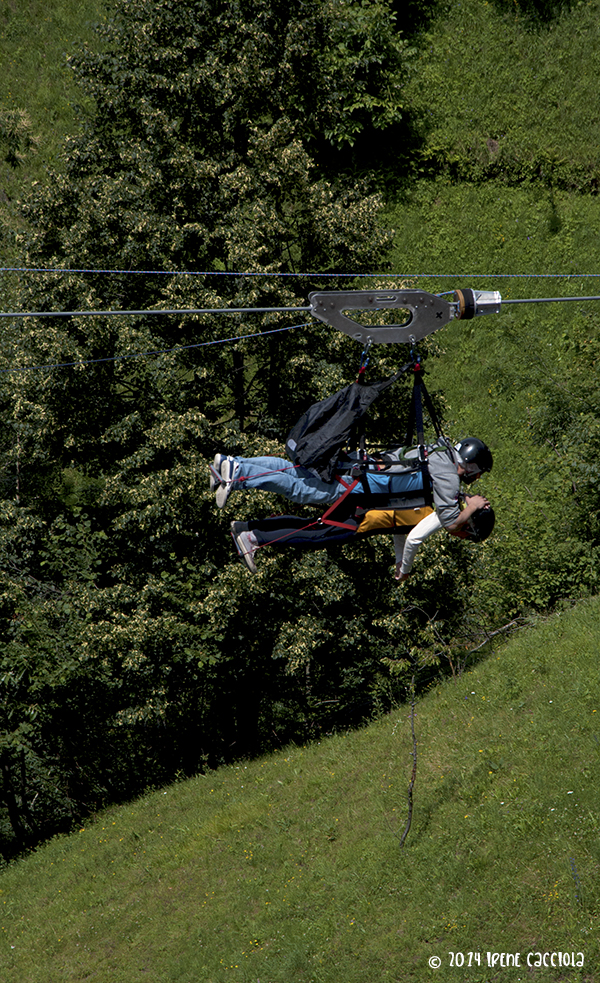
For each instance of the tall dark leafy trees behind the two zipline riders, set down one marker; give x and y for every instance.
(134, 646)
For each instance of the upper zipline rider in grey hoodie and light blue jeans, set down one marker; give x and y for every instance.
(322, 473)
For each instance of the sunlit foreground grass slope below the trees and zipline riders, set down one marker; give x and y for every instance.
(289, 868)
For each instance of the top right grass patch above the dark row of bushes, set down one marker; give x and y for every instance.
(498, 98)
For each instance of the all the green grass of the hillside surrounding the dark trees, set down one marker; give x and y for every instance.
(288, 868)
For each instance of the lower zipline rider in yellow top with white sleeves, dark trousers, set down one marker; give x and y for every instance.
(411, 527)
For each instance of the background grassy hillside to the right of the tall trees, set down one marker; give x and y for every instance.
(506, 192)
